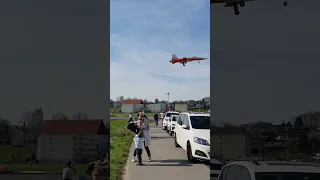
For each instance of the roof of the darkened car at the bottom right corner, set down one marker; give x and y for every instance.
(278, 166)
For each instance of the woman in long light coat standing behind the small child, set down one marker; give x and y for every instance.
(144, 125)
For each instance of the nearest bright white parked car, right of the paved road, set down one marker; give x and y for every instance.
(192, 133)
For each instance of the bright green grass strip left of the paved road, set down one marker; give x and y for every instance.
(120, 140)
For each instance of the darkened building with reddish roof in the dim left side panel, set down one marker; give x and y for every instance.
(72, 140)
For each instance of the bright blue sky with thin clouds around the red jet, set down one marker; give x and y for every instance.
(144, 35)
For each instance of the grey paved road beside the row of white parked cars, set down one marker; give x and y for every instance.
(168, 162)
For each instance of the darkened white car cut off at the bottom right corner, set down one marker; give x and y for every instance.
(261, 170)
